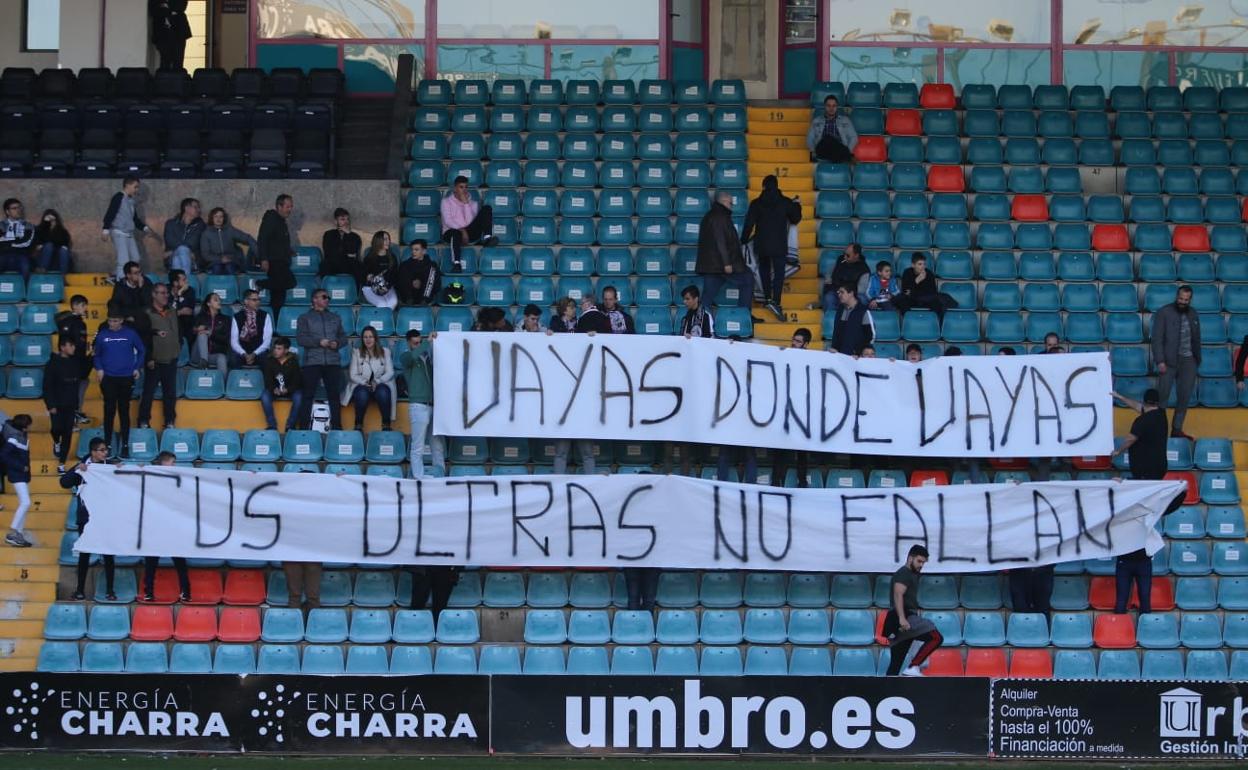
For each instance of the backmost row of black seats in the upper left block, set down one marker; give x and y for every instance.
(245, 85)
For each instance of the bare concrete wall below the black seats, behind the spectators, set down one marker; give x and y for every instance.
(374, 205)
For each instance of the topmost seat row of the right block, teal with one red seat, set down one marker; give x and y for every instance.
(988, 97)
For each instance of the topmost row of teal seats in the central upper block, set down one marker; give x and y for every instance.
(506, 92)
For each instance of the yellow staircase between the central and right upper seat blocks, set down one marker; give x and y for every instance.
(777, 140)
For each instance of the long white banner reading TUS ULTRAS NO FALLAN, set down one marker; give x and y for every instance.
(611, 521)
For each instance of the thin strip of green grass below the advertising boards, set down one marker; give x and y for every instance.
(180, 762)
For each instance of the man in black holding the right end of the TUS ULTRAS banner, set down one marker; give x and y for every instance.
(1146, 457)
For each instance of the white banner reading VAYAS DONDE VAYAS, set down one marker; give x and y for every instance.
(711, 391)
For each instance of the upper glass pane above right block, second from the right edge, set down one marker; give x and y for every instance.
(920, 22)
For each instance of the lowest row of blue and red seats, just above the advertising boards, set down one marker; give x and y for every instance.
(632, 661)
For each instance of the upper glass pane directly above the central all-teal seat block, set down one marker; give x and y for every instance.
(544, 19)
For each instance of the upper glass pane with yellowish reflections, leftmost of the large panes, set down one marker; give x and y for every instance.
(341, 19)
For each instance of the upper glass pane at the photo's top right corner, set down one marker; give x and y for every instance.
(1212, 23)
